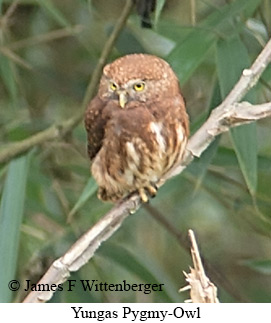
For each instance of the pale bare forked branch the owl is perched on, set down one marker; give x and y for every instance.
(225, 116)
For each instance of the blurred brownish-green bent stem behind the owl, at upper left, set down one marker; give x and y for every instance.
(59, 130)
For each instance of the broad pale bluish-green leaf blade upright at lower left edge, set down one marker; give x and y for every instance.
(11, 213)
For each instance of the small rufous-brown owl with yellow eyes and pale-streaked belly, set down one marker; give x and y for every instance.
(137, 126)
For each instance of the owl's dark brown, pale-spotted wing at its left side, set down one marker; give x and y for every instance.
(95, 124)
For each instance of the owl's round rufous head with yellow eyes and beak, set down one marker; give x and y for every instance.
(137, 77)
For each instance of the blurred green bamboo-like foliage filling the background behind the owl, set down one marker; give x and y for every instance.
(48, 50)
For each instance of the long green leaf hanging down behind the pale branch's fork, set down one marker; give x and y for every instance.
(232, 58)
